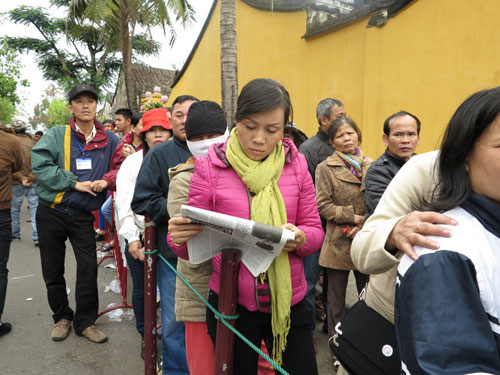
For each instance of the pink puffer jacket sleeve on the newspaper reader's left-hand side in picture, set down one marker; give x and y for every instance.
(200, 196)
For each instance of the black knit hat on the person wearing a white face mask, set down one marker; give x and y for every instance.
(205, 117)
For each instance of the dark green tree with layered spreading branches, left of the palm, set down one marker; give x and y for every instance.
(76, 50)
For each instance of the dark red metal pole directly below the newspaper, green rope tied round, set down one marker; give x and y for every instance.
(228, 293)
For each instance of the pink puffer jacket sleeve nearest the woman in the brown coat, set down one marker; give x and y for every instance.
(308, 218)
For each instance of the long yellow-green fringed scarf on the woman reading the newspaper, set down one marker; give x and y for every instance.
(268, 207)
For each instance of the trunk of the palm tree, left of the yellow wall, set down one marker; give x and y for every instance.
(127, 57)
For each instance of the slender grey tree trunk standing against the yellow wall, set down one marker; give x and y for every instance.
(228, 59)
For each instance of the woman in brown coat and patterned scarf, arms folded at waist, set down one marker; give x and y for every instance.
(340, 184)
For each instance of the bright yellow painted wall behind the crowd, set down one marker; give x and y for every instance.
(426, 60)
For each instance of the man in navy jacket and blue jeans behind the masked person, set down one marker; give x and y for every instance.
(150, 198)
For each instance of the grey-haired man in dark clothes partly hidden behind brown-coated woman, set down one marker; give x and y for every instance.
(316, 149)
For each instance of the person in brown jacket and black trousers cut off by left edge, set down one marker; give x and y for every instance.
(11, 161)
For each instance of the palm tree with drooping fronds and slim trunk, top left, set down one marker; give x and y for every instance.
(124, 16)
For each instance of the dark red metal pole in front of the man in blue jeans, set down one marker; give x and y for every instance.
(149, 298)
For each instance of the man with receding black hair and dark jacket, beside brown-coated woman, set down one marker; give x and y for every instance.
(401, 137)
